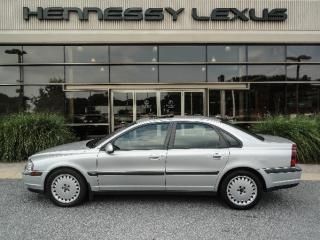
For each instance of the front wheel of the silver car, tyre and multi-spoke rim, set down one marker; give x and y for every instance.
(66, 188)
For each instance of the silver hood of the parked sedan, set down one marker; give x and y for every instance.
(64, 149)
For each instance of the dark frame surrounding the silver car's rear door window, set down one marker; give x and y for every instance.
(223, 145)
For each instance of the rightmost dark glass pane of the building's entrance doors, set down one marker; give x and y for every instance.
(193, 103)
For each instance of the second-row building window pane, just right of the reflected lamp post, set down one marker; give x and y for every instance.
(42, 75)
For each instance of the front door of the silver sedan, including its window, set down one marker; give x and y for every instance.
(138, 162)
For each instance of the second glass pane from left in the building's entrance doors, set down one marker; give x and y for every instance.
(146, 104)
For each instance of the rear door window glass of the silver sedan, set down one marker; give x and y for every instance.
(195, 135)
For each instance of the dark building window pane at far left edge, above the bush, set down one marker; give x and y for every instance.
(10, 102)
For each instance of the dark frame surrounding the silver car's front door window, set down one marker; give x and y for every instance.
(164, 146)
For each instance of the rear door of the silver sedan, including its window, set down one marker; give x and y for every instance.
(196, 155)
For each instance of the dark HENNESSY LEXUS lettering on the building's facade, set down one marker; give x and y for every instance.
(155, 14)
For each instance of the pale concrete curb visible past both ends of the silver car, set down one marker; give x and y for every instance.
(310, 172)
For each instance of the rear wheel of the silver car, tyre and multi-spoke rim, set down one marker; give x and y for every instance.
(241, 189)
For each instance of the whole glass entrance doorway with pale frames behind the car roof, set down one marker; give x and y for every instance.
(130, 105)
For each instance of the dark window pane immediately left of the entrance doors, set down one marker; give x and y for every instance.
(87, 107)
